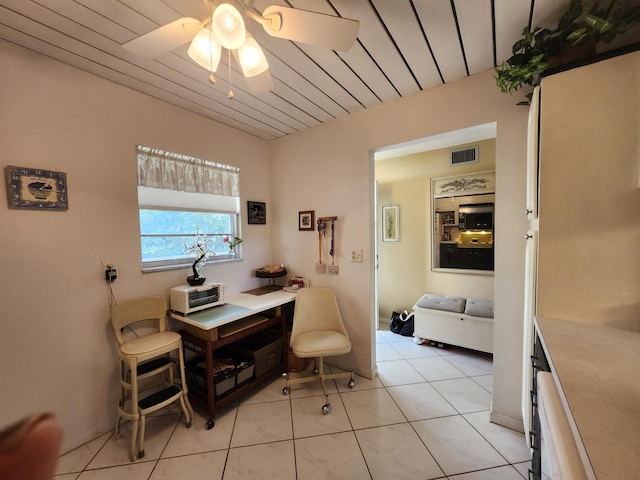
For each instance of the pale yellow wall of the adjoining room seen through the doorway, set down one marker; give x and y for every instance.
(404, 271)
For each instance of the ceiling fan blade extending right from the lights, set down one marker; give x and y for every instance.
(314, 28)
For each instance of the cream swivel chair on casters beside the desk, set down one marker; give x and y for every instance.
(318, 331)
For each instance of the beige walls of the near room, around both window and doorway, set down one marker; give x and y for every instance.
(57, 351)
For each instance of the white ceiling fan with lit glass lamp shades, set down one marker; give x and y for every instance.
(225, 28)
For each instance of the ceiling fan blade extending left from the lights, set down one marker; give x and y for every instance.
(165, 38)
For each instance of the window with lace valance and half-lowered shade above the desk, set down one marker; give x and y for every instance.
(179, 196)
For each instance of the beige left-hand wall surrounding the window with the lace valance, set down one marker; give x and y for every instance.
(56, 349)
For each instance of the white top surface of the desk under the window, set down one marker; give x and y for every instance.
(237, 306)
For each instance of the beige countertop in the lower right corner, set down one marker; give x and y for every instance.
(597, 369)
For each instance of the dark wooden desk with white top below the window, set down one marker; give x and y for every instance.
(243, 315)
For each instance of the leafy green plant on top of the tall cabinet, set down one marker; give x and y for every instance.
(577, 33)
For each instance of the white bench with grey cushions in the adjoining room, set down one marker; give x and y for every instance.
(456, 321)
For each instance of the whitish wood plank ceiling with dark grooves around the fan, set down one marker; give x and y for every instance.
(403, 47)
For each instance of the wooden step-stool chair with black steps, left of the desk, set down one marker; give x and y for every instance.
(147, 359)
